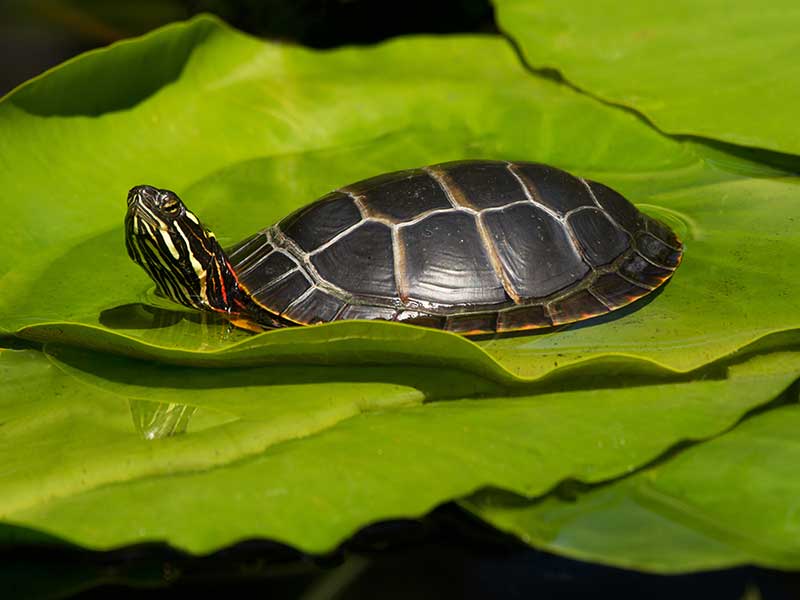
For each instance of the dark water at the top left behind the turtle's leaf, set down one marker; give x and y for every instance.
(35, 36)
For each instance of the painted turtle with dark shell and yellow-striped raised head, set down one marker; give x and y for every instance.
(471, 247)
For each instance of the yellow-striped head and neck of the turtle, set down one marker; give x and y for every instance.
(179, 254)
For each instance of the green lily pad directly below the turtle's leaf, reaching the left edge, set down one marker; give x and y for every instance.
(307, 458)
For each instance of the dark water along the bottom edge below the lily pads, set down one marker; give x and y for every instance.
(445, 555)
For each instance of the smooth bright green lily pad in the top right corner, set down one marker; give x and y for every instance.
(725, 70)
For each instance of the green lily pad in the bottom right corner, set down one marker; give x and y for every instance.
(729, 501)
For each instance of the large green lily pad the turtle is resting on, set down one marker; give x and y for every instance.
(247, 131)
